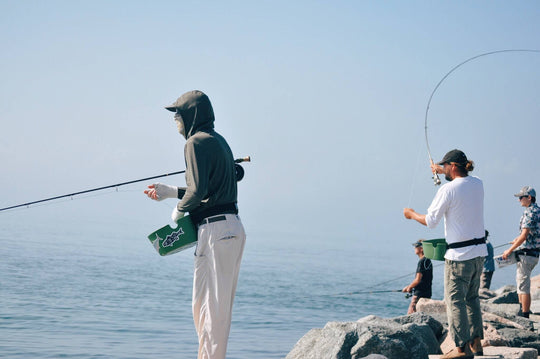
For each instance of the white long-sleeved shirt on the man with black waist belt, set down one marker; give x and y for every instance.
(461, 203)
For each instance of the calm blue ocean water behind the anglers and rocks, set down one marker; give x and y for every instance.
(87, 291)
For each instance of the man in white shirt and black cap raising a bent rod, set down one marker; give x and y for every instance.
(461, 203)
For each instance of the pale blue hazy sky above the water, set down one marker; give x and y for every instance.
(328, 98)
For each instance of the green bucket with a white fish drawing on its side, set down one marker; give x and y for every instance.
(168, 240)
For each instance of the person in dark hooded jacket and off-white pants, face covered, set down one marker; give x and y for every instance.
(210, 198)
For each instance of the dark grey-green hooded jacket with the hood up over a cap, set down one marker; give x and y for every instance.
(210, 169)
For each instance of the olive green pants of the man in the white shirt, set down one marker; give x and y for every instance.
(461, 284)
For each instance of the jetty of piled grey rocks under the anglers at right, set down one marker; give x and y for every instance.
(424, 334)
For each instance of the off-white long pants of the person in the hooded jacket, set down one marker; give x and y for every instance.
(217, 264)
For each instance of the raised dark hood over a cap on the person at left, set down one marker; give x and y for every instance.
(196, 111)
